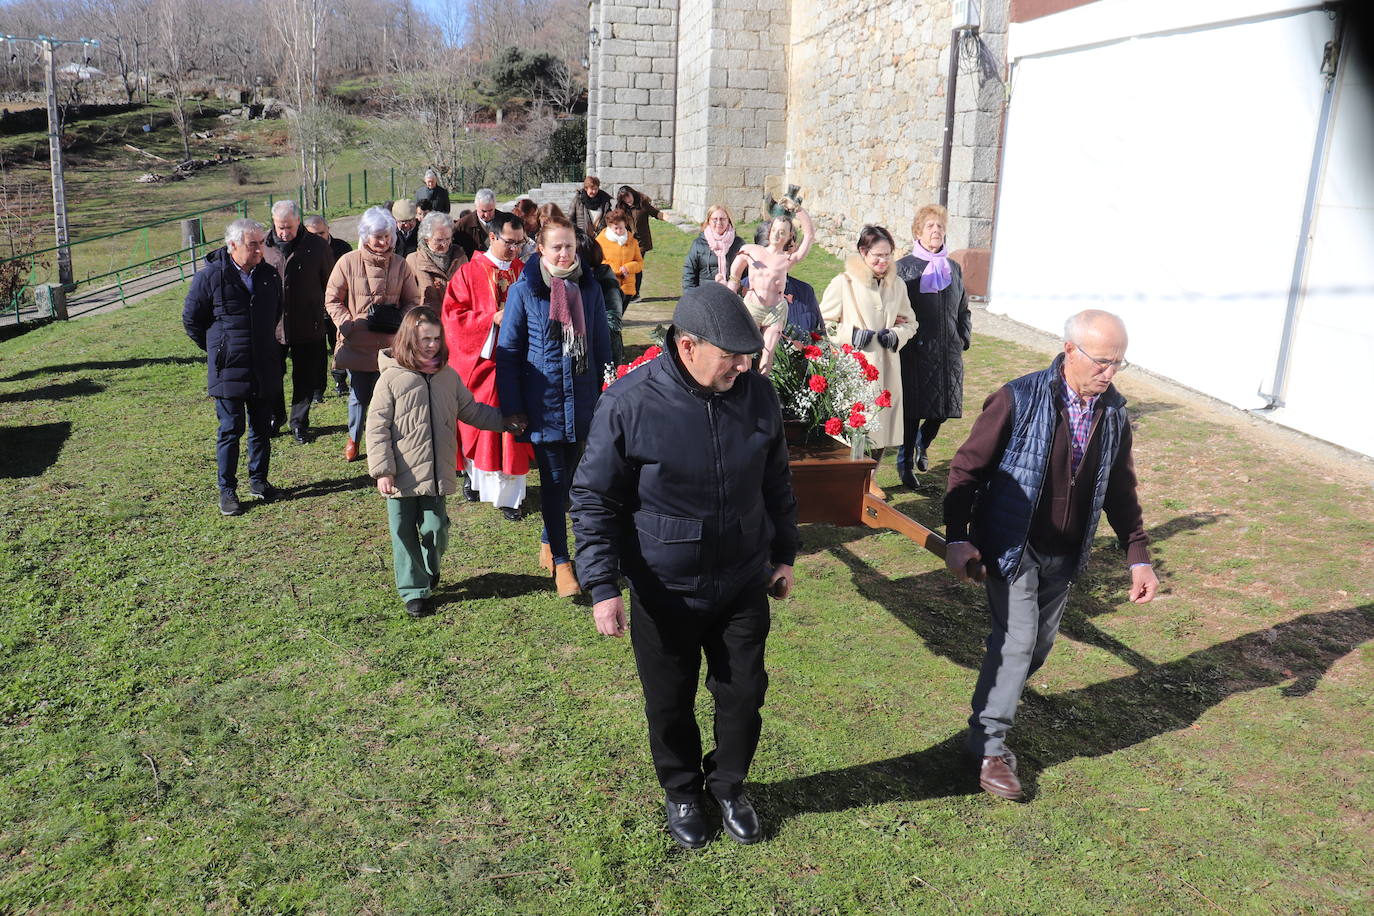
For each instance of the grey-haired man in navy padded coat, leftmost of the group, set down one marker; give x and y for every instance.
(232, 314)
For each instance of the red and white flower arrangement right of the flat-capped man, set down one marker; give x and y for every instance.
(828, 388)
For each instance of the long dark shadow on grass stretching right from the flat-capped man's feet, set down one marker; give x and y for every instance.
(1096, 720)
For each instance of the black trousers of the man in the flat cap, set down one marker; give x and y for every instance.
(668, 650)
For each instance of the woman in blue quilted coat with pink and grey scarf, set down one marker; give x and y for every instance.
(552, 356)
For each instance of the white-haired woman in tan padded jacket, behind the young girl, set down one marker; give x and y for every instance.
(372, 275)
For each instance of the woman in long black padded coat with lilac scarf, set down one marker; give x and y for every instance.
(932, 365)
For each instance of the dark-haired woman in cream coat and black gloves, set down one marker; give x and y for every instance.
(872, 312)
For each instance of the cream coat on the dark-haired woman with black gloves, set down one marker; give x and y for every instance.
(857, 300)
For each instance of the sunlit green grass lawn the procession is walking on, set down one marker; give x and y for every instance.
(211, 715)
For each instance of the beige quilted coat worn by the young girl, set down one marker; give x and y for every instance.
(413, 428)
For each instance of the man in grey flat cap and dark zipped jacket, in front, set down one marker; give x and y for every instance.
(685, 490)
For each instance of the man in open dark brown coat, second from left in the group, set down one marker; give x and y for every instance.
(304, 263)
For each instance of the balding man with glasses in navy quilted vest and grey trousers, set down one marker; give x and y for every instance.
(1050, 453)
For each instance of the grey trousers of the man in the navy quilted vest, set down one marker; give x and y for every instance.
(1026, 619)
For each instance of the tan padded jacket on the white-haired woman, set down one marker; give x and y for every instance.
(359, 281)
